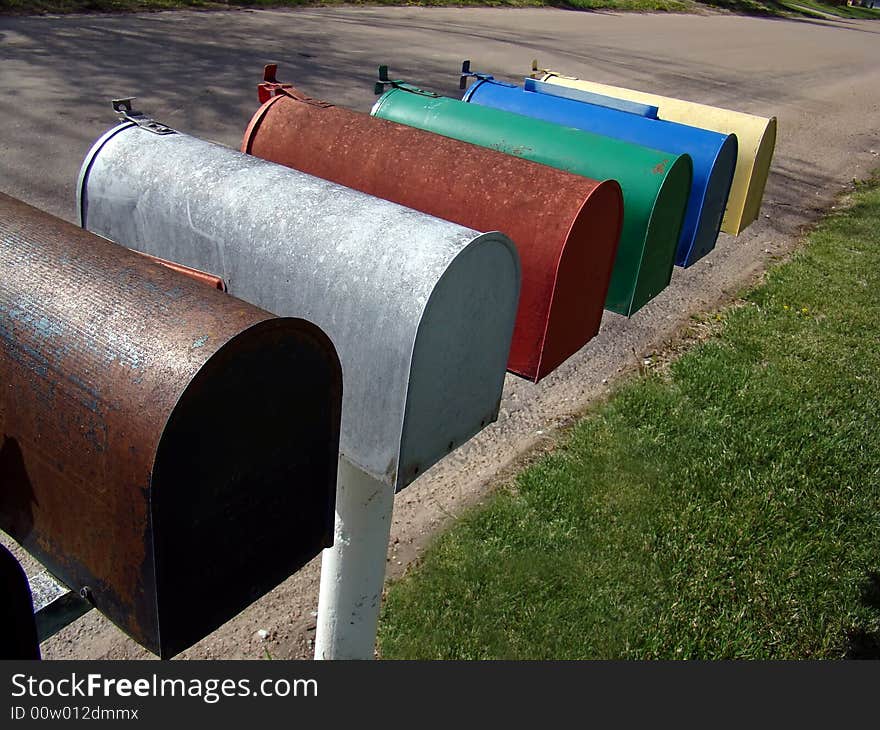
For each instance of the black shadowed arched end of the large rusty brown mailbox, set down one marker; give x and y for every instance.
(244, 481)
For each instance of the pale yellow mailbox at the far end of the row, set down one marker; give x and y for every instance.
(756, 138)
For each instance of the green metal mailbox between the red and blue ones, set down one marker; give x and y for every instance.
(655, 184)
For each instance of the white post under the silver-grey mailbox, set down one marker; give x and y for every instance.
(353, 570)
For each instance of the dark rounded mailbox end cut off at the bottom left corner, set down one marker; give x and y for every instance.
(18, 630)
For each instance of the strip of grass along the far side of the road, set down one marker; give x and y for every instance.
(749, 7)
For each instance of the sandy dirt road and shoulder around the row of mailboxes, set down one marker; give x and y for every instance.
(197, 71)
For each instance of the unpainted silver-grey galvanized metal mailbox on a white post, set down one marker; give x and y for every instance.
(420, 310)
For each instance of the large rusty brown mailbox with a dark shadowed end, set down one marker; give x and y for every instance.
(167, 451)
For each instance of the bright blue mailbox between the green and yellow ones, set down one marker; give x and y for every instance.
(713, 154)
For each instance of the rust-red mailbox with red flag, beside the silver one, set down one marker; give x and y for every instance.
(566, 227)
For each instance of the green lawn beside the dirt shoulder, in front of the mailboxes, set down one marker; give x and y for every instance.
(727, 506)
